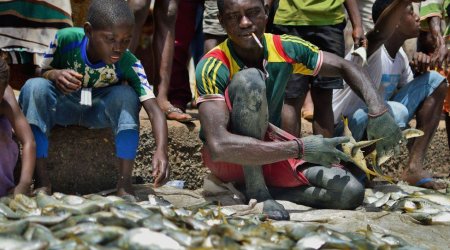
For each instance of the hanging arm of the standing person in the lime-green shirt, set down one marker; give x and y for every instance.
(359, 38)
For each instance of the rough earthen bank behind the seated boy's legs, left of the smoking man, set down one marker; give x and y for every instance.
(83, 160)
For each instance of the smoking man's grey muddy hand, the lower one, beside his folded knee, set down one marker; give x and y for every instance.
(319, 150)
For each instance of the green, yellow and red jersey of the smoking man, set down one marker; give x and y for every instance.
(283, 55)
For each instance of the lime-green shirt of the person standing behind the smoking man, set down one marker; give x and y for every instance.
(309, 12)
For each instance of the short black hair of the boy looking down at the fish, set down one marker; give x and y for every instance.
(107, 13)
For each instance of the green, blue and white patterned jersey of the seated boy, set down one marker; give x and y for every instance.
(68, 51)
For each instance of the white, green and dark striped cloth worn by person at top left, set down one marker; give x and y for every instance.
(29, 25)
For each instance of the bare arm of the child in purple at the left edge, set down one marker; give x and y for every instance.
(23, 132)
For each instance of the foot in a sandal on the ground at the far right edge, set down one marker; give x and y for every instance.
(422, 178)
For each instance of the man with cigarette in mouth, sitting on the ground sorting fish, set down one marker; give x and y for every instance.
(241, 84)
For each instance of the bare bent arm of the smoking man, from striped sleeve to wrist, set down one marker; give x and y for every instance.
(228, 147)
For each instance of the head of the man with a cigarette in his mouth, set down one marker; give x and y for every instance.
(241, 18)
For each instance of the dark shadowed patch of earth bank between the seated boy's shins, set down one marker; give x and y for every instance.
(82, 160)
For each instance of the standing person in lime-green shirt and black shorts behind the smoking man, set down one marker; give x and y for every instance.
(321, 23)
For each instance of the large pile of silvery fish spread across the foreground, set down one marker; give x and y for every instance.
(96, 222)
